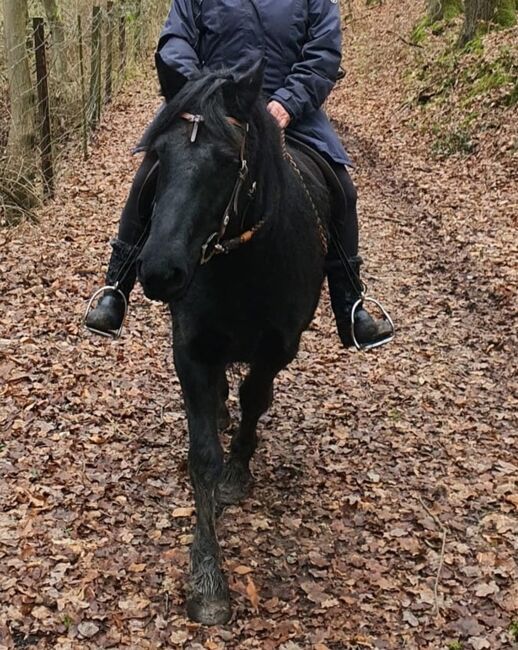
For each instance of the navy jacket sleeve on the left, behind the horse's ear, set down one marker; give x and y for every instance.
(177, 47)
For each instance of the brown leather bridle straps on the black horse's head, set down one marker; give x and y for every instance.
(216, 244)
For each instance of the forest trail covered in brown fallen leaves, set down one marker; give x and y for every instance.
(384, 509)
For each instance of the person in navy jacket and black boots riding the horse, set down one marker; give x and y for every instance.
(300, 41)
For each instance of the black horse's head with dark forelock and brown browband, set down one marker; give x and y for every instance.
(199, 165)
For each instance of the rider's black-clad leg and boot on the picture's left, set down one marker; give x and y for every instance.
(108, 314)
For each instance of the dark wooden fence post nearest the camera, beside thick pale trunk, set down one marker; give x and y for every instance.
(43, 106)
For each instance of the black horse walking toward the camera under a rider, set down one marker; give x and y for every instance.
(227, 184)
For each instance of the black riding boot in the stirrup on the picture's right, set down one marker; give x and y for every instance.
(345, 291)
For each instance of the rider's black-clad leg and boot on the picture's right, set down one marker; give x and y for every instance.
(345, 286)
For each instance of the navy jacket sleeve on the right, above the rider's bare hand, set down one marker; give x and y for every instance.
(312, 78)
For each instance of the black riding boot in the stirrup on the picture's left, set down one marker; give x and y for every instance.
(108, 315)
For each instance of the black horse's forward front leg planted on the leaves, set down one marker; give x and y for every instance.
(208, 599)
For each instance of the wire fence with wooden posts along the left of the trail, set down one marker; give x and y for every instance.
(78, 58)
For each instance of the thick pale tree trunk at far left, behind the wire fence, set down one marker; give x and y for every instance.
(20, 149)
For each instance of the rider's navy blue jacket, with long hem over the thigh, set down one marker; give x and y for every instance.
(299, 39)
